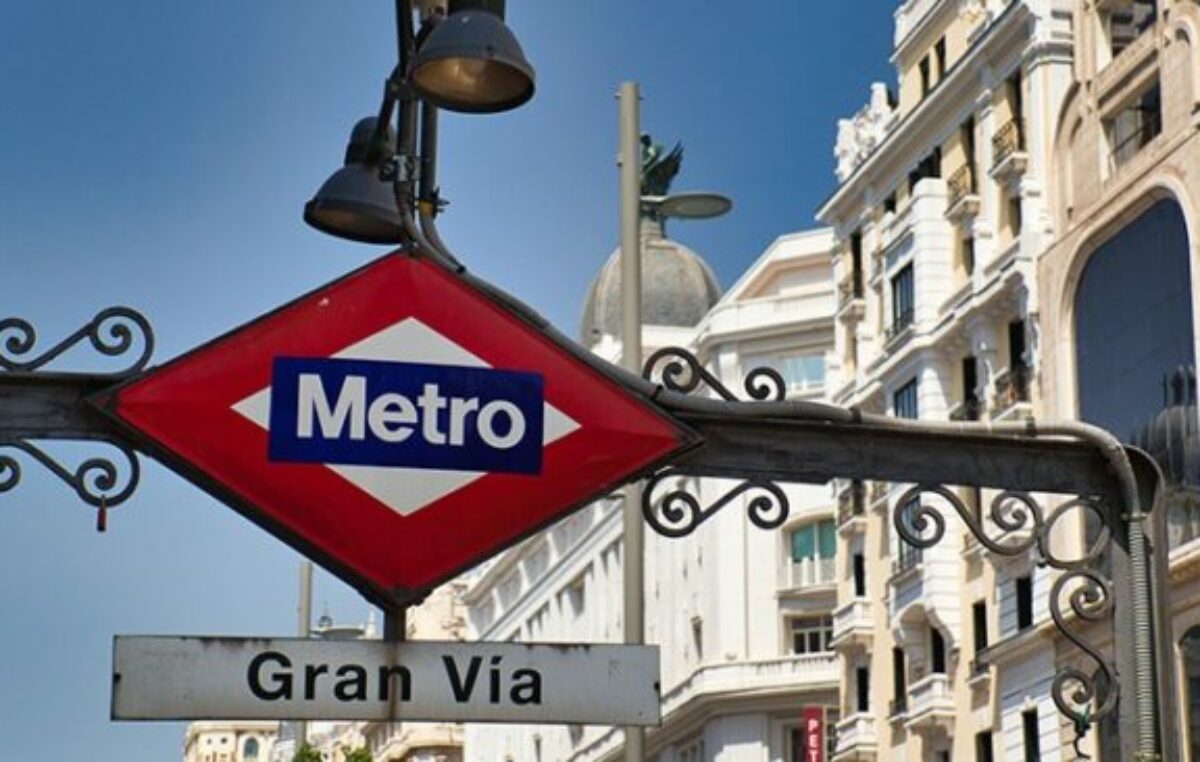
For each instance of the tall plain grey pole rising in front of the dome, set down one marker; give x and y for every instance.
(632, 358)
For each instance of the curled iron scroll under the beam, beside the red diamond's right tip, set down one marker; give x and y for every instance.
(677, 513)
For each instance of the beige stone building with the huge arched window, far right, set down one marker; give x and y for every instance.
(1118, 287)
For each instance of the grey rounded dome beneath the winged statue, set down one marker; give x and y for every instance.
(679, 287)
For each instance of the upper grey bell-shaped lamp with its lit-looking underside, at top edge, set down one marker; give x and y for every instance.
(473, 63)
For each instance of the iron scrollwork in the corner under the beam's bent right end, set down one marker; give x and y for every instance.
(1082, 697)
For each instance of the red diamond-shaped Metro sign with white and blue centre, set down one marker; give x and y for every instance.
(398, 425)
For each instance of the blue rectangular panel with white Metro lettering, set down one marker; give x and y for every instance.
(406, 415)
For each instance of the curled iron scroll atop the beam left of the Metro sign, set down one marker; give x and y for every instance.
(113, 333)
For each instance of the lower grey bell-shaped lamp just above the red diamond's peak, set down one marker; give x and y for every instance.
(357, 202)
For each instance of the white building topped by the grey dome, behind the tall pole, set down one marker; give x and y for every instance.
(743, 616)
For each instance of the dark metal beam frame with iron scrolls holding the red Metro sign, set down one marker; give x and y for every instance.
(763, 441)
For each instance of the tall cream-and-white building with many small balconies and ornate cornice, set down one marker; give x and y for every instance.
(941, 213)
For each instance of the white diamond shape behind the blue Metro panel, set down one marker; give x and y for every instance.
(407, 490)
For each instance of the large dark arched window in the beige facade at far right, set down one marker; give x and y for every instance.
(1135, 357)
